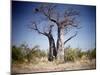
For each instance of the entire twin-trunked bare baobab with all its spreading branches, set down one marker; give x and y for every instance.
(63, 20)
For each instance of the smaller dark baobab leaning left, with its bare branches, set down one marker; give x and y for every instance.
(48, 33)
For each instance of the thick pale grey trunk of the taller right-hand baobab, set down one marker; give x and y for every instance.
(60, 45)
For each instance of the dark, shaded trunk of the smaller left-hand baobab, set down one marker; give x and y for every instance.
(52, 49)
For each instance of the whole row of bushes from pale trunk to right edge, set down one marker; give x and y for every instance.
(75, 54)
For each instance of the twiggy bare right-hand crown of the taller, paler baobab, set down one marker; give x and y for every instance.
(69, 19)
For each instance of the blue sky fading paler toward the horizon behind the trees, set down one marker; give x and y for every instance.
(22, 15)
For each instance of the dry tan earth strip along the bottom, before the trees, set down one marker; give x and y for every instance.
(45, 66)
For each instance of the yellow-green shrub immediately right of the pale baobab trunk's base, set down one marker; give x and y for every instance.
(73, 54)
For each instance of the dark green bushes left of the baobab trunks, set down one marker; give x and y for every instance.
(25, 54)
